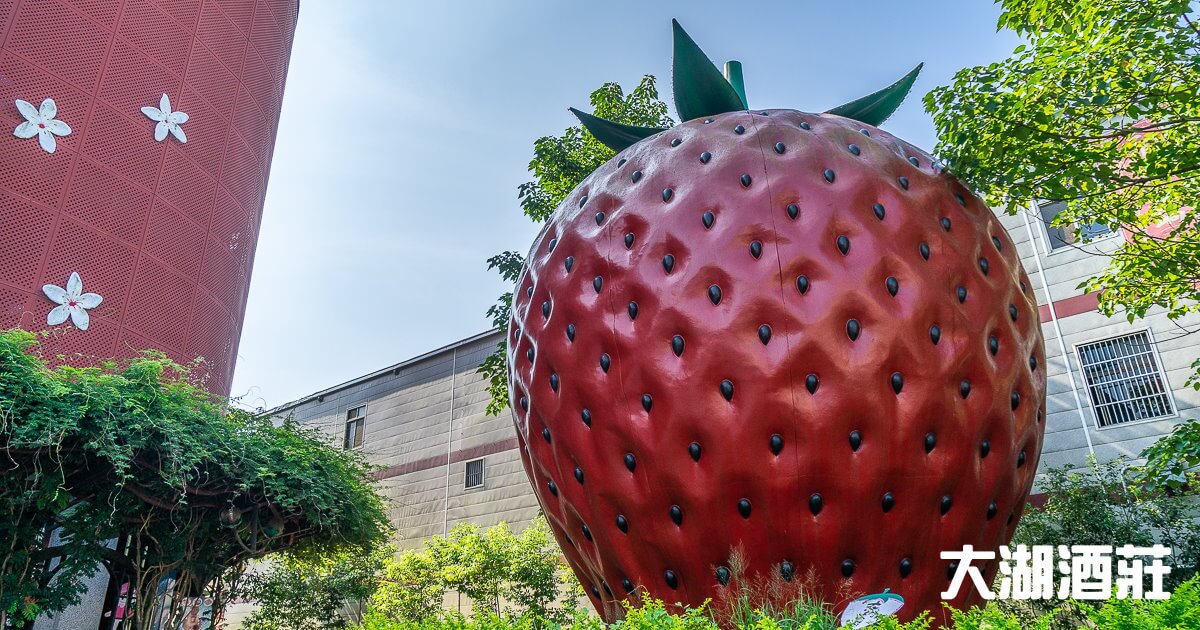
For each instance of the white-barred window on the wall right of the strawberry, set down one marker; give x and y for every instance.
(1125, 380)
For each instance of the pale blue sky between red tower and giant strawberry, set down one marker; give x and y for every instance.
(407, 129)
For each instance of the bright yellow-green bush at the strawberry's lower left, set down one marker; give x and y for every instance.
(489, 566)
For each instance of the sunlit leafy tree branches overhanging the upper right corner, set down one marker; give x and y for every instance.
(1101, 109)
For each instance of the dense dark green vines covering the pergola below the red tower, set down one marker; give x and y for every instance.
(137, 453)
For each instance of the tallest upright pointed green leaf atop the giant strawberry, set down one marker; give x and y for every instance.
(700, 89)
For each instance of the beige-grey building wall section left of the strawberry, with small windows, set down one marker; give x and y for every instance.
(445, 460)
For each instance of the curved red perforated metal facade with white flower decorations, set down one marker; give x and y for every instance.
(164, 231)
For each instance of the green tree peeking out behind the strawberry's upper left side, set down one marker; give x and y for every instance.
(560, 165)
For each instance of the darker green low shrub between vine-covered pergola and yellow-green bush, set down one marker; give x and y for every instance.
(297, 595)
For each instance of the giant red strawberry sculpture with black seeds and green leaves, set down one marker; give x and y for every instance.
(788, 333)
